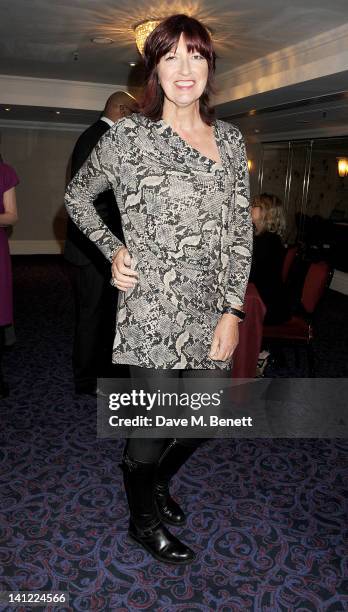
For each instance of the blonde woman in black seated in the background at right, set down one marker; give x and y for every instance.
(268, 257)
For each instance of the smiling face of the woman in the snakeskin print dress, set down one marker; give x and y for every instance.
(182, 75)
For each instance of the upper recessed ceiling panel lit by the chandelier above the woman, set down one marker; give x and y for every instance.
(52, 38)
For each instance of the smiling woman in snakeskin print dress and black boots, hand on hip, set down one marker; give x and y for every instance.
(181, 183)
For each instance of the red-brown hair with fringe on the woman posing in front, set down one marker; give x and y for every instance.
(161, 41)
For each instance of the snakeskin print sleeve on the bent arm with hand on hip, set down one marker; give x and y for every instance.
(99, 173)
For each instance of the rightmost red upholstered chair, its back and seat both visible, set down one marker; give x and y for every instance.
(299, 329)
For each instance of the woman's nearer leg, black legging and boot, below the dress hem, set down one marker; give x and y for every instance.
(139, 466)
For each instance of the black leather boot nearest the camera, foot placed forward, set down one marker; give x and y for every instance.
(145, 527)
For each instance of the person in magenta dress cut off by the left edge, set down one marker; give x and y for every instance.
(8, 217)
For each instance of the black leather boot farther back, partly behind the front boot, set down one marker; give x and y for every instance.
(171, 460)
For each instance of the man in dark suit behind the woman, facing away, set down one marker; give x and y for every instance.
(95, 299)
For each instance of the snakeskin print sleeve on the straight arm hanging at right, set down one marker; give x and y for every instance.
(240, 232)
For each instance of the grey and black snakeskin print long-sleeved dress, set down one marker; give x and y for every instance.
(187, 227)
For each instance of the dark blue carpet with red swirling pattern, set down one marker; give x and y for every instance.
(267, 518)
